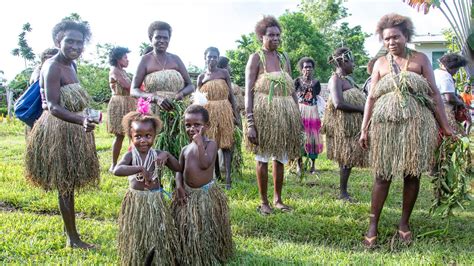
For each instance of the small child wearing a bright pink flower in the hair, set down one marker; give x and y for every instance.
(145, 223)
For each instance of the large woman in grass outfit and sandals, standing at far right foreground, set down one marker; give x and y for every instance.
(399, 123)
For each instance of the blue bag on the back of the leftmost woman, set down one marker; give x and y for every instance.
(28, 107)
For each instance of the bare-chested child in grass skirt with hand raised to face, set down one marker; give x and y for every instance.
(200, 207)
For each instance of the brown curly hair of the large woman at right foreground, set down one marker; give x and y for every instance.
(404, 24)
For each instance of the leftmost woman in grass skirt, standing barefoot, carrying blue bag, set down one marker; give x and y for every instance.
(60, 151)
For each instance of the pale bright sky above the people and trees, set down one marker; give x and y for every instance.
(197, 24)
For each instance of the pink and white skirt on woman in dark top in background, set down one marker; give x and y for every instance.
(312, 127)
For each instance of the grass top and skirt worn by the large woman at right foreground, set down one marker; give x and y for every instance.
(403, 131)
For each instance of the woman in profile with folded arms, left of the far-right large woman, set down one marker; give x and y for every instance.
(343, 118)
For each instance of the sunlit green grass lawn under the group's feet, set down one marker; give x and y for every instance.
(320, 230)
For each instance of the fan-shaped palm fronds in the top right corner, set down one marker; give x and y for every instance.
(459, 15)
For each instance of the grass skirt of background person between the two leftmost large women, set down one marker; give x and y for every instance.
(119, 106)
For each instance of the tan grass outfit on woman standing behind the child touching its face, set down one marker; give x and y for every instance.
(221, 115)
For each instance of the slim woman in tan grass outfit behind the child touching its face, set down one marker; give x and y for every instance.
(215, 84)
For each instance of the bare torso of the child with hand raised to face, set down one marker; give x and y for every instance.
(193, 175)
